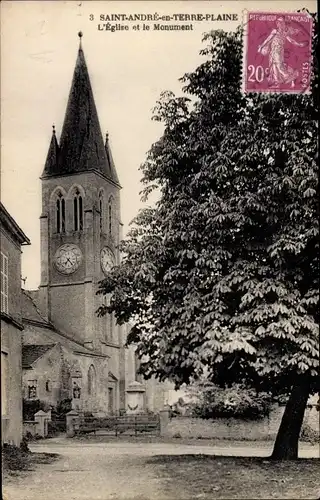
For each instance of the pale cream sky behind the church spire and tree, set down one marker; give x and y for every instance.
(128, 70)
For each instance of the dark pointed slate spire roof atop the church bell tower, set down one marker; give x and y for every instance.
(81, 146)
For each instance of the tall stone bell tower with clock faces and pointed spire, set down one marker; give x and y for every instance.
(80, 220)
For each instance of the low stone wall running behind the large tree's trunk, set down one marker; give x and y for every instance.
(235, 429)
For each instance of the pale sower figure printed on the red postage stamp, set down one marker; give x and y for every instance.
(279, 71)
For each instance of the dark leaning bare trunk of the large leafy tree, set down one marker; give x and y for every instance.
(287, 440)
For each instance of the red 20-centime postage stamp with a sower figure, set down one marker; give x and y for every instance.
(277, 52)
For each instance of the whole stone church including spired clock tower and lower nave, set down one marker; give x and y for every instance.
(68, 351)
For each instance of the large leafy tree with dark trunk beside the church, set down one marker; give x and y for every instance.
(220, 276)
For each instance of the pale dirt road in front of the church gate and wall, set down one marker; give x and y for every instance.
(104, 471)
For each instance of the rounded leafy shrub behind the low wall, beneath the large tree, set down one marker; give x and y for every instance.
(233, 402)
